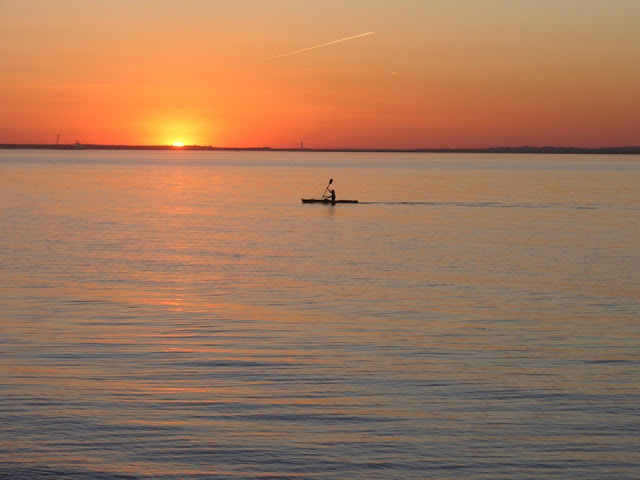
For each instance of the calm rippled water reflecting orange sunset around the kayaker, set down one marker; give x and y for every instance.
(181, 315)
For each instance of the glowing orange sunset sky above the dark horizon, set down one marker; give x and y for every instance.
(433, 74)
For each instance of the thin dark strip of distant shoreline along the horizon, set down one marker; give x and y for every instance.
(629, 150)
